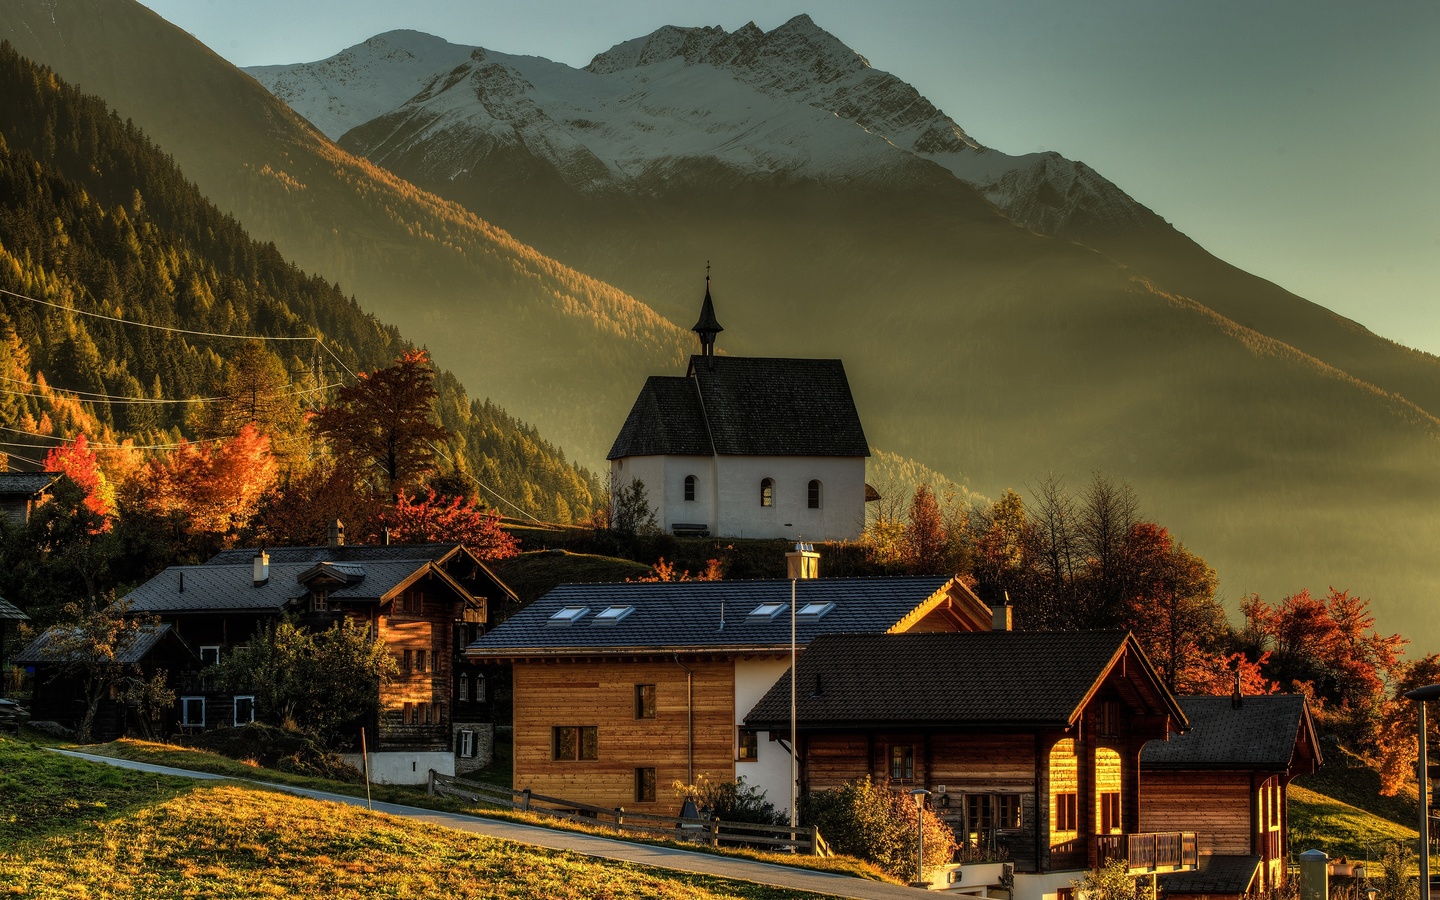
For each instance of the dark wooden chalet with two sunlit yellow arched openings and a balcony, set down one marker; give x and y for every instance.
(1030, 742)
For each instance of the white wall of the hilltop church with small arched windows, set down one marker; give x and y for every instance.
(728, 495)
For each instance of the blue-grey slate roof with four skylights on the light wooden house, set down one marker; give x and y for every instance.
(685, 616)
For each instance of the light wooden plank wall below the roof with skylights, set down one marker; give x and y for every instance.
(601, 693)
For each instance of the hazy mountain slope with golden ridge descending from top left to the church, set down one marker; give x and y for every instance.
(513, 325)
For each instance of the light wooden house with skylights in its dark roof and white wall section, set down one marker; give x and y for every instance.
(621, 690)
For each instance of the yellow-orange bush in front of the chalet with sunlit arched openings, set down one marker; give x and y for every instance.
(872, 823)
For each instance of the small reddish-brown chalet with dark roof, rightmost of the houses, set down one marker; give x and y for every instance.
(1228, 780)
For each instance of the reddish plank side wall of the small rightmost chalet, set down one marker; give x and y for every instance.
(1216, 806)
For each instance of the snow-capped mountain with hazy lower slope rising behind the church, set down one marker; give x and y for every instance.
(882, 233)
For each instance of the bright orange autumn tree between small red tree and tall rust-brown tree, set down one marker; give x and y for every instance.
(218, 487)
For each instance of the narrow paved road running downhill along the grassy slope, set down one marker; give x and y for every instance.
(591, 846)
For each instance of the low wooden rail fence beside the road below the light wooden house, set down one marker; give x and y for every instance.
(712, 832)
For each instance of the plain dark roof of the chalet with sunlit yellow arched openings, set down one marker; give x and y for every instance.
(953, 679)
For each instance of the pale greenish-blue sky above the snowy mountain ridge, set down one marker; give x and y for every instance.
(1295, 139)
